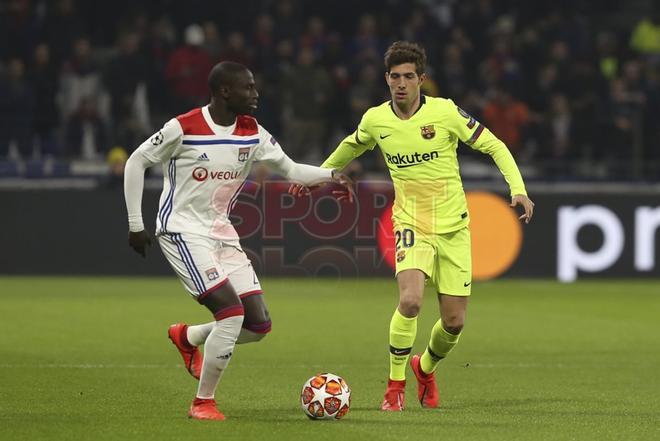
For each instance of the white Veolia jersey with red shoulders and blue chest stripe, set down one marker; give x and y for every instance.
(205, 166)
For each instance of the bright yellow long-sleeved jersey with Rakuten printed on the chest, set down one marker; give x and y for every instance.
(420, 154)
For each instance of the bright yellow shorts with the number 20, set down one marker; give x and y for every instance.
(446, 259)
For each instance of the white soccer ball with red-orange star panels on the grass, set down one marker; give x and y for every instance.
(325, 397)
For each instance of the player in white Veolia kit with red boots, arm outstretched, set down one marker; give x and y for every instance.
(206, 155)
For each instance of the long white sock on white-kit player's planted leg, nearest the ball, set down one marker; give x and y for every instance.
(218, 350)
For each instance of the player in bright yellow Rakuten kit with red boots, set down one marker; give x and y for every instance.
(418, 136)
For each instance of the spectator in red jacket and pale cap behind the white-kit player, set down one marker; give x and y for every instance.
(188, 69)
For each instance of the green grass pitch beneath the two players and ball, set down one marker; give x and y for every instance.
(88, 359)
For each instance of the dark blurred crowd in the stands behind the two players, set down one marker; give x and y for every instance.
(572, 87)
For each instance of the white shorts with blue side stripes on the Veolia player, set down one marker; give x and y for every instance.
(204, 264)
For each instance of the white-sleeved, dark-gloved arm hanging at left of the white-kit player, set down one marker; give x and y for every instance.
(155, 150)
